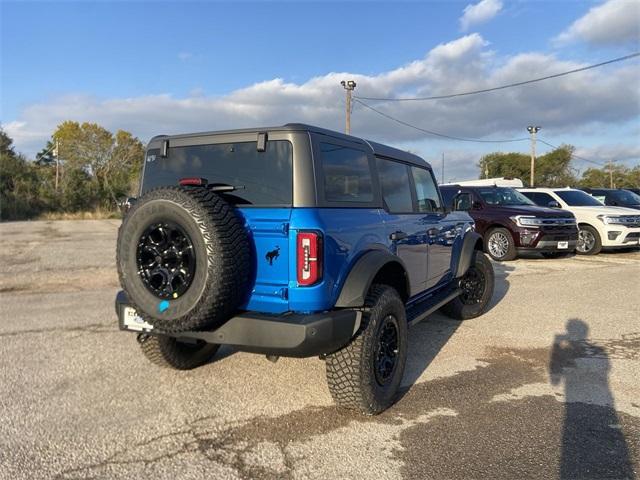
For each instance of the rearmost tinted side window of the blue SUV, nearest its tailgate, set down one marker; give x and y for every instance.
(347, 174)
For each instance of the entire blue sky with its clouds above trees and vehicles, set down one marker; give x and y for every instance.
(164, 67)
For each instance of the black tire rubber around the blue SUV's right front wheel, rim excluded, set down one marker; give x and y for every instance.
(457, 308)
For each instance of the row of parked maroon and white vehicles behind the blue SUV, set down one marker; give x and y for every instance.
(552, 221)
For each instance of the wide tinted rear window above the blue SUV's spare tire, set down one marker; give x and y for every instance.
(267, 177)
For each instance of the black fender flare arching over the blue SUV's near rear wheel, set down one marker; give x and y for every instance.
(360, 278)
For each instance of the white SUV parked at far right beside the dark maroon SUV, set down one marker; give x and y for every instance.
(599, 226)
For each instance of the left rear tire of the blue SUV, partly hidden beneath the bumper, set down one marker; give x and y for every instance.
(168, 352)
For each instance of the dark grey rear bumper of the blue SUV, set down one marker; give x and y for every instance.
(287, 335)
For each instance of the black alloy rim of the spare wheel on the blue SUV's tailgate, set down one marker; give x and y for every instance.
(166, 260)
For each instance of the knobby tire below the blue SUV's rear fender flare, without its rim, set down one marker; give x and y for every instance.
(351, 375)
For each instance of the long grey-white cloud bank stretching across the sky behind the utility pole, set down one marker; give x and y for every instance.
(563, 106)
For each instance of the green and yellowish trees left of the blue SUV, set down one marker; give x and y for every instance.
(83, 167)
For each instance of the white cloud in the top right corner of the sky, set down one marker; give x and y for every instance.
(612, 22)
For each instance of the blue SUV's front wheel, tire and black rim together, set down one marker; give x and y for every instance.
(477, 285)
